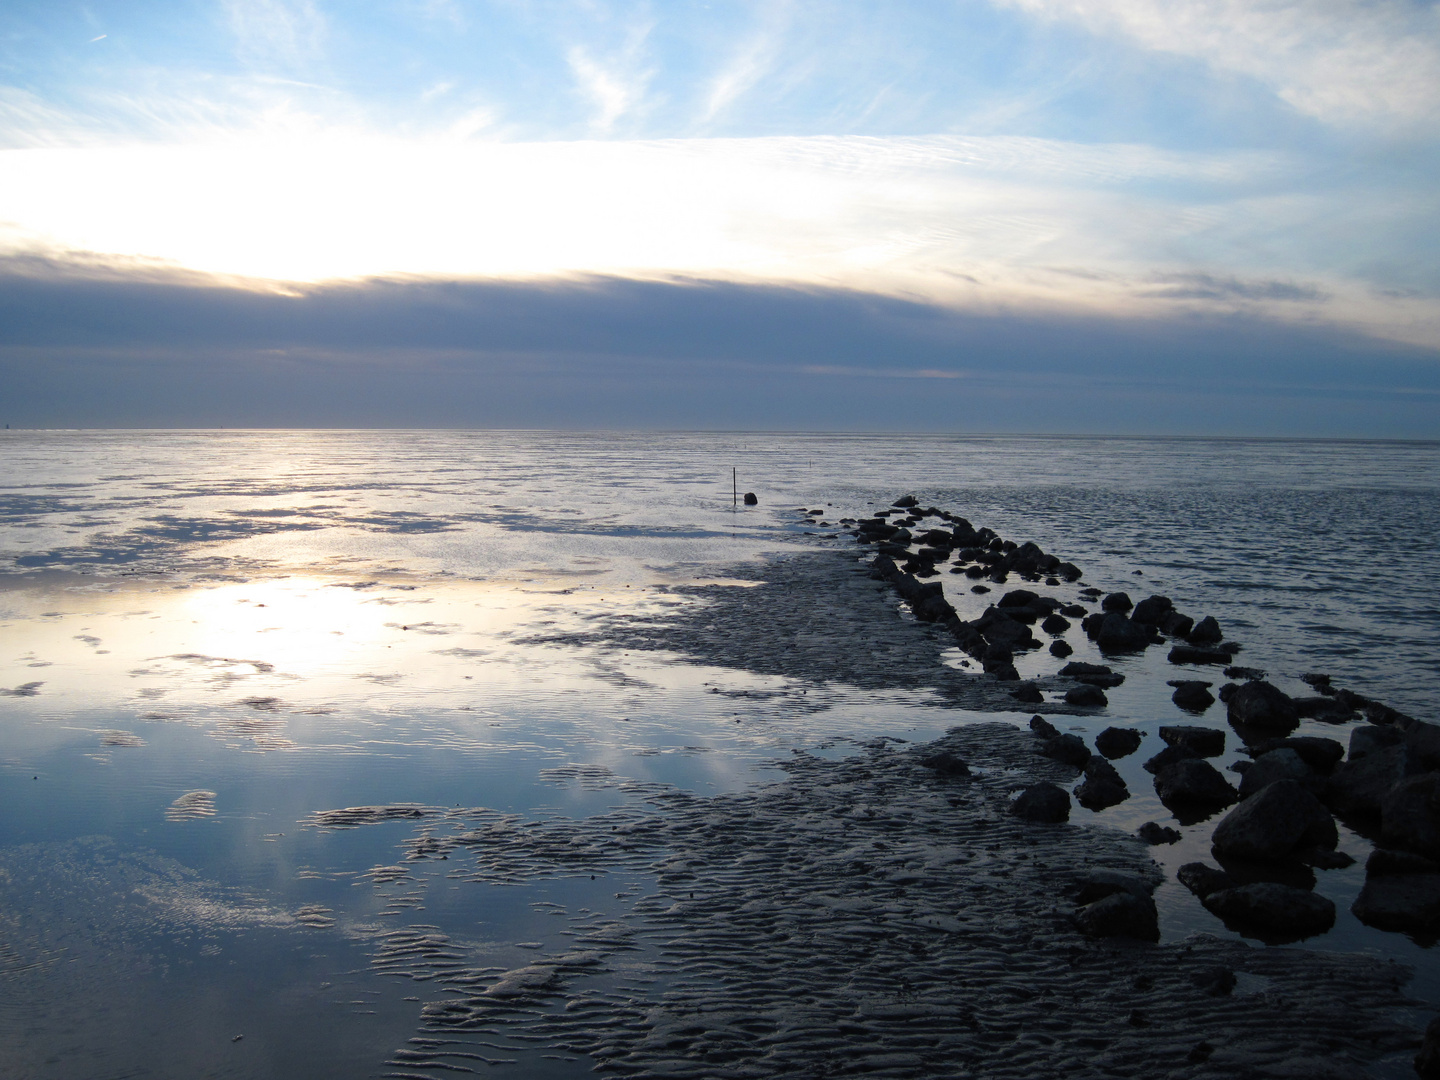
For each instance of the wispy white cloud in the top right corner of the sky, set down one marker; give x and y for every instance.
(1341, 61)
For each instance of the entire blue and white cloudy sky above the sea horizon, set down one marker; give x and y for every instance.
(1115, 217)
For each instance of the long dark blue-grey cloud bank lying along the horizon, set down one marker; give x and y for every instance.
(112, 349)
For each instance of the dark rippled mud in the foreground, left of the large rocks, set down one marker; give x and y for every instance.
(883, 917)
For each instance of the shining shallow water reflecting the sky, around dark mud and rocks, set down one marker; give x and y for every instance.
(210, 637)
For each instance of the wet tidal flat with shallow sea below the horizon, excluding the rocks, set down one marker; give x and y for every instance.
(368, 755)
